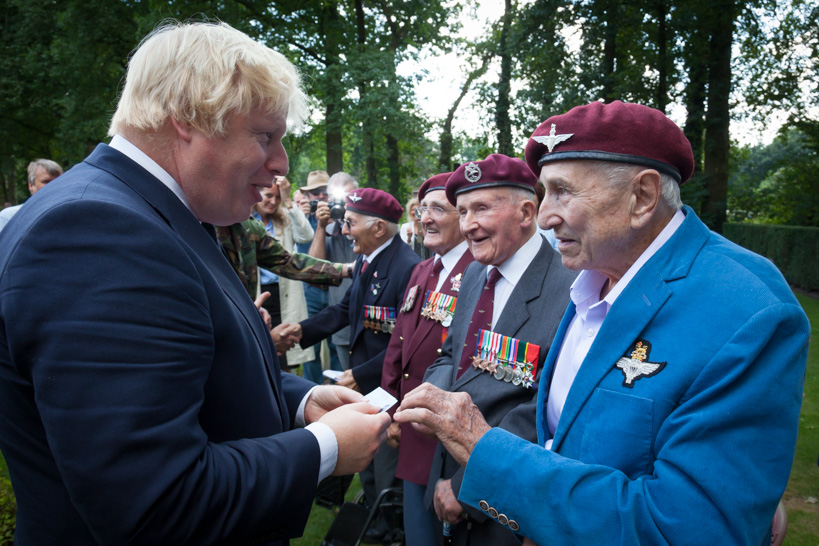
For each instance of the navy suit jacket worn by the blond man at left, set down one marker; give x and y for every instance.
(140, 395)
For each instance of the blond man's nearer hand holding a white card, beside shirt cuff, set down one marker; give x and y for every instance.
(359, 428)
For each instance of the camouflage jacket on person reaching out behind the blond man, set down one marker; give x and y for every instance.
(248, 246)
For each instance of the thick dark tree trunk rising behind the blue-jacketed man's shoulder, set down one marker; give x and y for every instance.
(717, 118)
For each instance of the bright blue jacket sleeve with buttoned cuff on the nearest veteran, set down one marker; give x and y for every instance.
(746, 397)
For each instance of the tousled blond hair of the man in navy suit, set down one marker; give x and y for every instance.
(201, 73)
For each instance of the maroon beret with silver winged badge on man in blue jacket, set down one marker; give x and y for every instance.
(619, 132)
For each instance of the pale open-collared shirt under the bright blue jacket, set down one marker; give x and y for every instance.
(590, 311)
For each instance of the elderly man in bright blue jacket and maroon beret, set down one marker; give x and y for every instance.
(668, 411)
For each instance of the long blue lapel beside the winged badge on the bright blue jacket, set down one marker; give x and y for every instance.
(631, 313)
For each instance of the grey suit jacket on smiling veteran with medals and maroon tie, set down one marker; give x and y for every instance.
(532, 313)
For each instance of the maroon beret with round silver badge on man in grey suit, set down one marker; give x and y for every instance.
(495, 171)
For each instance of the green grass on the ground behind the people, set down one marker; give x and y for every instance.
(803, 516)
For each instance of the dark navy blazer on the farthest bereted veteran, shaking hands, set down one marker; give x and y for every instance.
(381, 285)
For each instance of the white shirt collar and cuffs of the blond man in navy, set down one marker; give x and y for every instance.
(328, 444)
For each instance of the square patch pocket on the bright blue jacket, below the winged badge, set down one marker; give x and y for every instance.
(619, 432)
